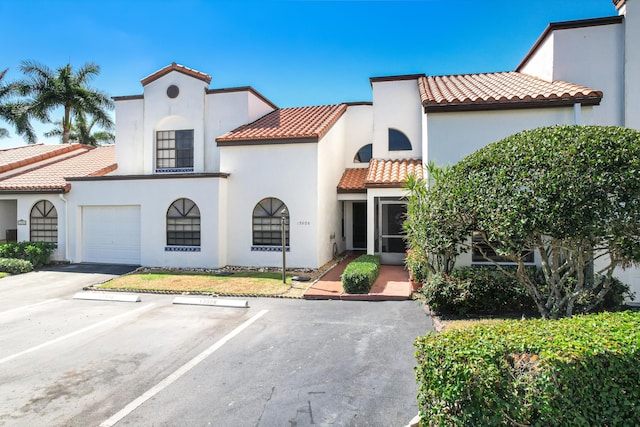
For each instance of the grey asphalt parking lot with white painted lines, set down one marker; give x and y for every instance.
(70, 362)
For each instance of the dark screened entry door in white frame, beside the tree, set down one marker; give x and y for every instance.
(391, 215)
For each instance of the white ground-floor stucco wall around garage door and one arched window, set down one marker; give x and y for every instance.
(154, 196)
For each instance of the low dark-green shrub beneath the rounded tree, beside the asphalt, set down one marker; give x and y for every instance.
(477, 290)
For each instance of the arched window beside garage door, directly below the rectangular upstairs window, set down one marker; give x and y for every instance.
(183, 223)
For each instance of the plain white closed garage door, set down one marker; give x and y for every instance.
(111, 234)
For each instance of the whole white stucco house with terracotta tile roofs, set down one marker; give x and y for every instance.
(201, 177)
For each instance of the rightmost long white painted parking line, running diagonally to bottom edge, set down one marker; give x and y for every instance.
(179, 372)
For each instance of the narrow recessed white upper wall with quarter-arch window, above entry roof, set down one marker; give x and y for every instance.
(358, 133)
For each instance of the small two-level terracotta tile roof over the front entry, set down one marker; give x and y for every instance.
(380, 173)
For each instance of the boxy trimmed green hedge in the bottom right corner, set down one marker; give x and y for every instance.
(580, 371)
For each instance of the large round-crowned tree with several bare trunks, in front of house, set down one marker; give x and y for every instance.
(572, 193)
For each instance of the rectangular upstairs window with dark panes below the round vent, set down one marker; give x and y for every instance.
(174, 149)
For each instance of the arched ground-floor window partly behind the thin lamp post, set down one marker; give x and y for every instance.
(267, 222)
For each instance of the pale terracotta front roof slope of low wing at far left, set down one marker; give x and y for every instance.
(88, 161)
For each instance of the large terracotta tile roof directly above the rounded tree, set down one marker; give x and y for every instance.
(499, 90)
